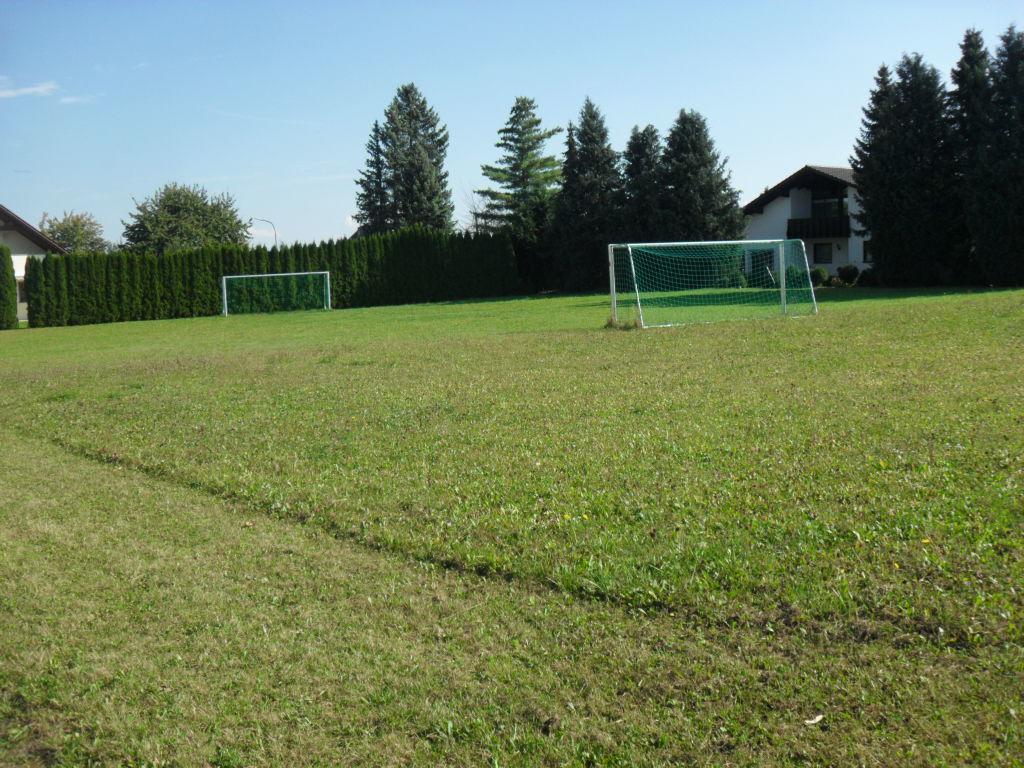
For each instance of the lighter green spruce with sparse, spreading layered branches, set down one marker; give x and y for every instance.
(527, 180)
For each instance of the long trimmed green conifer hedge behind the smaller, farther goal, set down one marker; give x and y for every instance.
(407, 267)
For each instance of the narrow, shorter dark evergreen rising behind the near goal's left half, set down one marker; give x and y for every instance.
(643, 186)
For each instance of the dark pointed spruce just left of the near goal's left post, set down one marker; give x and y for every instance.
(589, 207)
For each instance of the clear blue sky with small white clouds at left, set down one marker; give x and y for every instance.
(105, 102)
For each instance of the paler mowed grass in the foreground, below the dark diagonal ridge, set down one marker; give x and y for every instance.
(144, 624)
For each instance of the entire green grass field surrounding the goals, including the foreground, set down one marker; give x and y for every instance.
(498, 534)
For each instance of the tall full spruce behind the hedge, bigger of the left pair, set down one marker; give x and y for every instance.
(415, 147)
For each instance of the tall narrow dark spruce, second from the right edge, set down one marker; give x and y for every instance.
(971, 114)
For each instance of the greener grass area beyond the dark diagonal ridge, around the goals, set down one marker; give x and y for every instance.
(858, 473)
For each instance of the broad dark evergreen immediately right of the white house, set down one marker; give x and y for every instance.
(905, 168)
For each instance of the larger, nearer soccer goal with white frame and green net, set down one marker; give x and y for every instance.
(670, 284)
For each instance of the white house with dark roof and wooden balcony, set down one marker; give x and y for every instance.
(816, 205)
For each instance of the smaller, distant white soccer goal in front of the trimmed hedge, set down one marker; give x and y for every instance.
(278, 292)
